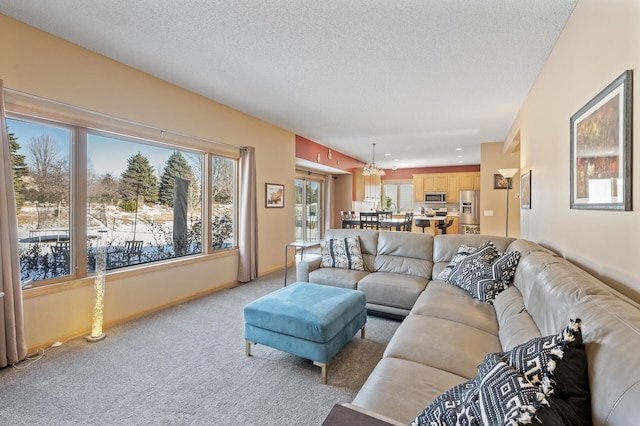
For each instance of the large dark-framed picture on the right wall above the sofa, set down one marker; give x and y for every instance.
(601, 149)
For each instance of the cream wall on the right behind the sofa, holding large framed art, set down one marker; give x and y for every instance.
(600, 41)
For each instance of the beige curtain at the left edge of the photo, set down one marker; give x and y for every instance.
(13, 346)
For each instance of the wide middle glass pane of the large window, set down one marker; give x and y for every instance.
(147, 197)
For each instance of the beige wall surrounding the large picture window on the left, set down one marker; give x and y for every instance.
(39, 64)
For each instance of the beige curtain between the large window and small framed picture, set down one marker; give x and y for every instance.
(248, 217)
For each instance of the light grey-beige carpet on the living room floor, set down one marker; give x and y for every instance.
(186, 365)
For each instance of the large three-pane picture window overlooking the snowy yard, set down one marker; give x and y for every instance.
(71, 182)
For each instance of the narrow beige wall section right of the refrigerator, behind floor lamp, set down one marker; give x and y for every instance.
(493, 158)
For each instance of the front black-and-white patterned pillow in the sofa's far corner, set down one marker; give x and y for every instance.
(484, 281)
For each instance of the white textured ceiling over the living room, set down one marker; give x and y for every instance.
(418, 77)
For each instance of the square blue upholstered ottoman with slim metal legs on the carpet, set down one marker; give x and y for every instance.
(311, 321)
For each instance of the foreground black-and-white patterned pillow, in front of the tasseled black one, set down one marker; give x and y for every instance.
(498, 395)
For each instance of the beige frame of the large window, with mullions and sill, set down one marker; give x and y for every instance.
(80, 129)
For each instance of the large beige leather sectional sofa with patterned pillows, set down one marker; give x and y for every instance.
(446, 333)
